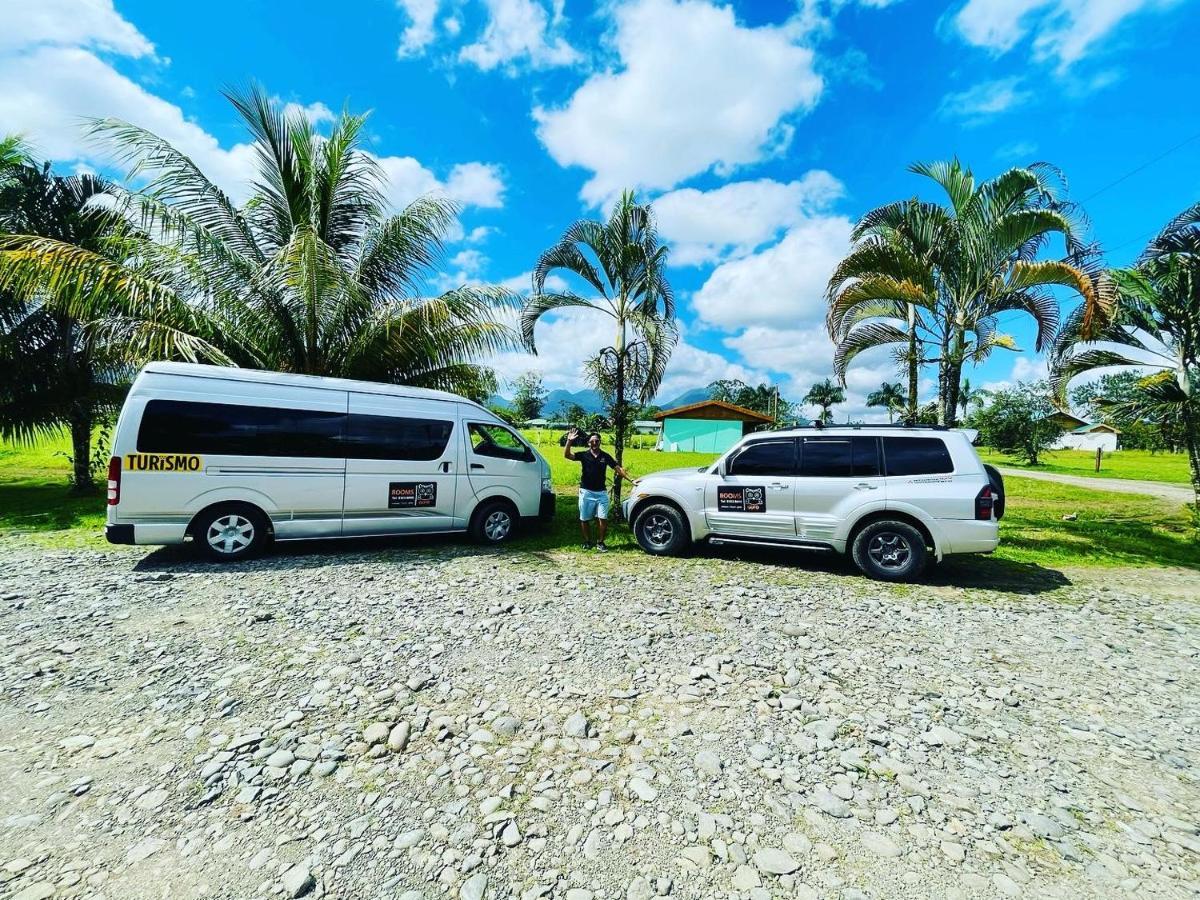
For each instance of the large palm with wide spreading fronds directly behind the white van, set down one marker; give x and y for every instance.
(313, 275)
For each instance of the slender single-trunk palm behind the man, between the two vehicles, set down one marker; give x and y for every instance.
(625, 266)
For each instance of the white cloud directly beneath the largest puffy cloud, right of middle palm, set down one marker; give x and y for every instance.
(739, 218)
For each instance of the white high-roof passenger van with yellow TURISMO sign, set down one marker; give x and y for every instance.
(232, 459)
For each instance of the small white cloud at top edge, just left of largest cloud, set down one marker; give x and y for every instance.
(520, 32)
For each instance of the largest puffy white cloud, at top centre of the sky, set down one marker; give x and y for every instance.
(694, 92)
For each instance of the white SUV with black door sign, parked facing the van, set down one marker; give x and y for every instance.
(890, 496)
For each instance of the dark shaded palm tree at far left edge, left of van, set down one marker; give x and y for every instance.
(56, 373)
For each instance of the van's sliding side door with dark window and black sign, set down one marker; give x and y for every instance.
(401, 465)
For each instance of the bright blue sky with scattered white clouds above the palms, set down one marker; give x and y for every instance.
(760, 130)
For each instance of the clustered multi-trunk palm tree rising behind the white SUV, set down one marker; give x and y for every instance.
(931, 280)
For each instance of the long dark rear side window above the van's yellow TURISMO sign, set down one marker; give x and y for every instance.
(176, 427)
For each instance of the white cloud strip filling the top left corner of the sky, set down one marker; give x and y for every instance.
(70, 23)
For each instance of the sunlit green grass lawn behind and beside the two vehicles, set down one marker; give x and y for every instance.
(1109, 530)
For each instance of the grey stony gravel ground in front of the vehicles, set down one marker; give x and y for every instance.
(406, 721)
